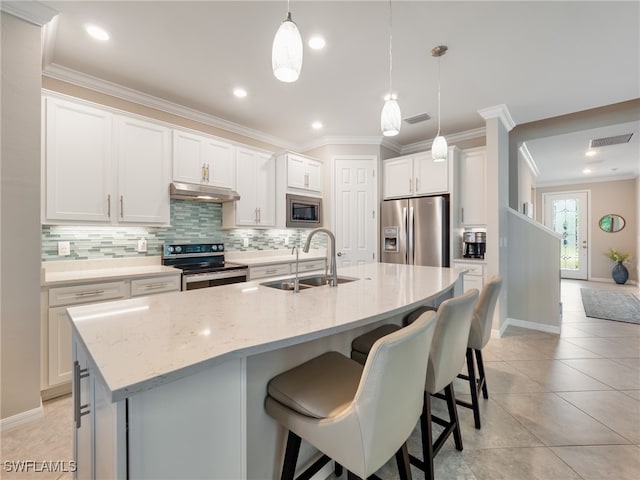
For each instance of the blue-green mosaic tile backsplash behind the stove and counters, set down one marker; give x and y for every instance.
(191, 222)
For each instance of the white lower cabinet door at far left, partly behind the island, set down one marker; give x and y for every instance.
(60, 363)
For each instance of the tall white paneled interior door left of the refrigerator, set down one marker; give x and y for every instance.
(355, 209)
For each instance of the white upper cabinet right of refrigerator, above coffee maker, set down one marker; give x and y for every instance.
(473, 184)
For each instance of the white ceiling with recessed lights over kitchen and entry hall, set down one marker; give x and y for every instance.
(540, 59)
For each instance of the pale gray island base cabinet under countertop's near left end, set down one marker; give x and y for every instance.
(189, 428)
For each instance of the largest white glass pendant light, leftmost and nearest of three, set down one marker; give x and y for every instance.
(286, 54)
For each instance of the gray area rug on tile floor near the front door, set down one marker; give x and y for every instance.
(618, 306)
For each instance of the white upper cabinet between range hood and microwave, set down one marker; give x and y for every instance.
(256, 183)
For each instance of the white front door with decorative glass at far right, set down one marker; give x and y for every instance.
(566, 213)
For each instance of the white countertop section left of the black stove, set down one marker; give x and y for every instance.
(83, 271)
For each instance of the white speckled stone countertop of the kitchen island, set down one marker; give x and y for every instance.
(140, 343)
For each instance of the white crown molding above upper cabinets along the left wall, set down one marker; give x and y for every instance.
(93, 83)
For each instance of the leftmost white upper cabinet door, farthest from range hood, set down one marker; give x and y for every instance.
(78, 159)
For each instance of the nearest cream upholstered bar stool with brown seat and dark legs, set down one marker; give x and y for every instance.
(359, 416)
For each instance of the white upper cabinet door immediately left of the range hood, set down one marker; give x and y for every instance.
(144, 169)
